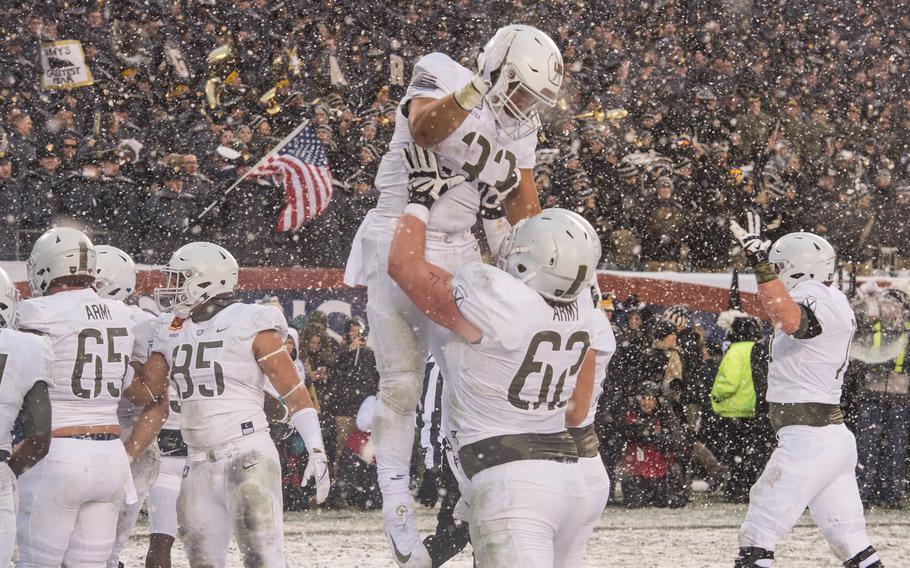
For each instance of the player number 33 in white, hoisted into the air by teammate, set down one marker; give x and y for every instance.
(483, 126)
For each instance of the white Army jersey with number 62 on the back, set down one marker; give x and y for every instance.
(519, 377)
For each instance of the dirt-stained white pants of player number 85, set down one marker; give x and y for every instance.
(233, 490)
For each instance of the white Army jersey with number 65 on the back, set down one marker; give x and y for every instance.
(92, 341)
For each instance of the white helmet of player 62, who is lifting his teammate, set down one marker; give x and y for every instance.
(553, 253)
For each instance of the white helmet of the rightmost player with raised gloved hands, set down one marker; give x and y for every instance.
(802, 256)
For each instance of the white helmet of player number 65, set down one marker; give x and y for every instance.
(62, 251)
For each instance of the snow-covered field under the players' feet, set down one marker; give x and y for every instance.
(700, 536)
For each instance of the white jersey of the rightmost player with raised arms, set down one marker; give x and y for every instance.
(812, 370)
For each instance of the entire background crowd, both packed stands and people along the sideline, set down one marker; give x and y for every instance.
(674, 117)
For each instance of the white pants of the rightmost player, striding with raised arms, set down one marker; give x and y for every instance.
(811, 467)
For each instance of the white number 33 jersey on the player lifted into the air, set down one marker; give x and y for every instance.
(477, 149)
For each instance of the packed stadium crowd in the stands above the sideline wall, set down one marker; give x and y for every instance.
(674, 117)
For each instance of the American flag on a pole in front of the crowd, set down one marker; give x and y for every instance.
(307, 178)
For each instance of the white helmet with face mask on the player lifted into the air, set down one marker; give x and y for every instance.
(527, 81)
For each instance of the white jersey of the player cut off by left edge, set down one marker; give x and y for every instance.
(25, 359)
